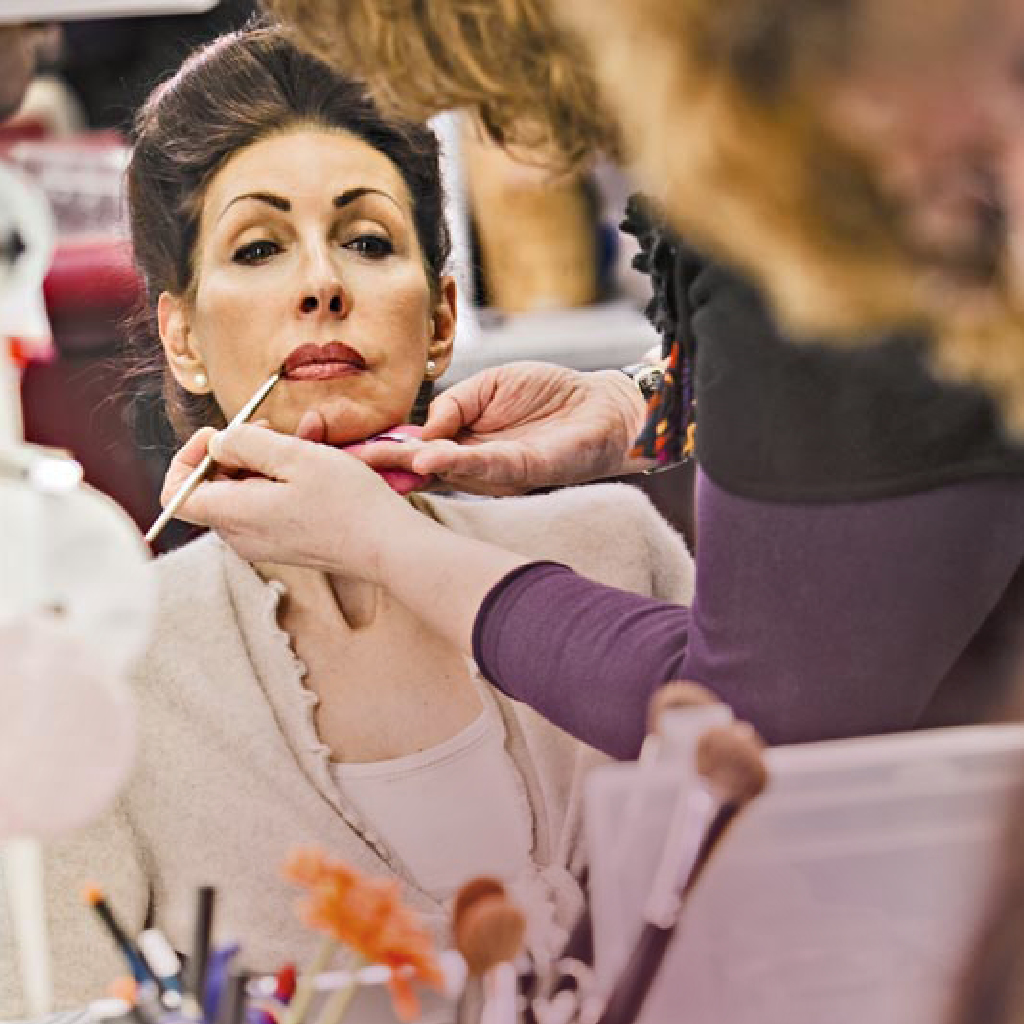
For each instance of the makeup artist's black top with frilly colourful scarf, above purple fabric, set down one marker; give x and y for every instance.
(786, 419)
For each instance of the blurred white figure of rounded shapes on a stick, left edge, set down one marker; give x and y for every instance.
(75, 610)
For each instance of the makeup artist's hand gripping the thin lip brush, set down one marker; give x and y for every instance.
(298, 503)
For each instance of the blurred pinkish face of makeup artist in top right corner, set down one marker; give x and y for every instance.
(936, 96)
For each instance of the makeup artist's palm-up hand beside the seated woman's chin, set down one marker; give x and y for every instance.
(523, 426)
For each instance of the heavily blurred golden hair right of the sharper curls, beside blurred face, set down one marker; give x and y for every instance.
(731, 131)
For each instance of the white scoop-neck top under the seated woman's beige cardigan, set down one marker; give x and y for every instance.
(451, 813)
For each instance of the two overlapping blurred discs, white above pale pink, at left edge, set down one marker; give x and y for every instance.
(69, 632)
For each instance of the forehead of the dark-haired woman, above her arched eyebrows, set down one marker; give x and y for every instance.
(306, 165)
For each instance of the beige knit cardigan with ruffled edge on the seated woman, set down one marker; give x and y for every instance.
(232, 774)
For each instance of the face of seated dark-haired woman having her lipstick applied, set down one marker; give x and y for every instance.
(308, 258)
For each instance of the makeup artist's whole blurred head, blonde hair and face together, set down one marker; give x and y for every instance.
(863, 160)
